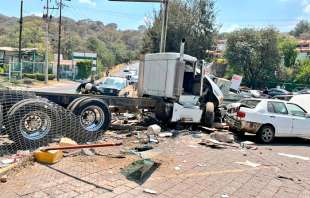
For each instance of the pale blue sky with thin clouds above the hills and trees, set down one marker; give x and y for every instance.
(231, 14)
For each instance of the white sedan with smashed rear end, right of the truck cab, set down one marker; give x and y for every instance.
(268, 118)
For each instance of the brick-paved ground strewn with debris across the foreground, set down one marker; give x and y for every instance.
(187, 169)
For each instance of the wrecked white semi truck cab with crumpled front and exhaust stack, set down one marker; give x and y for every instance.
(187, 93)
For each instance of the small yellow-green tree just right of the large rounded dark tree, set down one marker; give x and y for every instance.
(288, 50)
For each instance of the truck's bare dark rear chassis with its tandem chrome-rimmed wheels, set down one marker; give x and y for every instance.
(33, 119)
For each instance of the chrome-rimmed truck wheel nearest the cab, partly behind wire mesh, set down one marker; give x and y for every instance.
(94, 116)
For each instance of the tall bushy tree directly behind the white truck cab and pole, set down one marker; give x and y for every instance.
(193, 20)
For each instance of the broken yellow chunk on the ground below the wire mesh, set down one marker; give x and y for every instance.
(48, 157)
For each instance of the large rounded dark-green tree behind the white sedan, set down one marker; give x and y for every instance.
(254, 54)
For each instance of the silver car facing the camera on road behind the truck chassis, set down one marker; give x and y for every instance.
(112, 86)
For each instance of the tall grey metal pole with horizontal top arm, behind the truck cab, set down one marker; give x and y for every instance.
(164, 24)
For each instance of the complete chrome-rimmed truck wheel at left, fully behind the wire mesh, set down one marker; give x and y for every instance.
(32, 123)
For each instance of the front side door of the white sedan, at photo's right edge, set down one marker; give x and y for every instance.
(301, 123)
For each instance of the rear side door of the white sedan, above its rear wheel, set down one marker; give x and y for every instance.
(280, 118)
